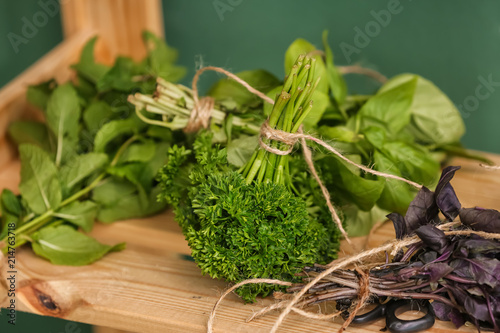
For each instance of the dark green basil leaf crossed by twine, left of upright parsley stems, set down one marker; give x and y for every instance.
(232, 94)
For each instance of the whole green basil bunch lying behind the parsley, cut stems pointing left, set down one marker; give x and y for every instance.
(406, 128)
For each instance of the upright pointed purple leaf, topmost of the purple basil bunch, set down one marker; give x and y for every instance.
(446, 198)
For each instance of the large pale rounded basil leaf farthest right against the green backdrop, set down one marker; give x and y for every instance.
(434, 117)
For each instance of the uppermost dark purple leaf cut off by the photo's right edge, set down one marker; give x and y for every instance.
(479, 219)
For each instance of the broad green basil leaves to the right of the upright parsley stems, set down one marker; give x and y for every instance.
(406, 128)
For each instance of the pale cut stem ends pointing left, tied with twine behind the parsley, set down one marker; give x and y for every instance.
(174, 103)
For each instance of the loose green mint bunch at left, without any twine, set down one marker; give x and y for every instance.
(91, 158)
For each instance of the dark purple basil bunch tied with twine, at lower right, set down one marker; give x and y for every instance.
(459, 273)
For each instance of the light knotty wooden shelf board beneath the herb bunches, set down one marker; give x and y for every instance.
(152, 286)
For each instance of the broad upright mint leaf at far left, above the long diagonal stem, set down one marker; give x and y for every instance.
(39, 185)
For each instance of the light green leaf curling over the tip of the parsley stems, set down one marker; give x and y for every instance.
(301, 46)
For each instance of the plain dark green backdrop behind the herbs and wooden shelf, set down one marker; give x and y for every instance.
(455, 43)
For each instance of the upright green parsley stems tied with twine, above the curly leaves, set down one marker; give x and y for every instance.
(291, 107)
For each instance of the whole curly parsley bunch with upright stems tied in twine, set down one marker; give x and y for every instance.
(251, 223)
